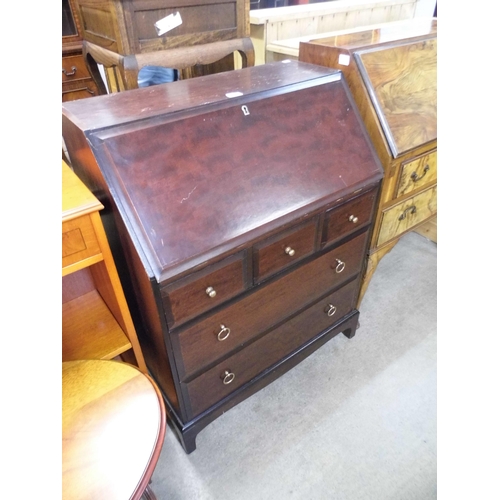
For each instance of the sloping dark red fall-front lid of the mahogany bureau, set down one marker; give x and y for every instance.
(235, 173)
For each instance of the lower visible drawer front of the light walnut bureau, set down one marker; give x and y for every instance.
(408, 214)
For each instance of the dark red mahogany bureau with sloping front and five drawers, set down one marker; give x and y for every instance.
(243, 204)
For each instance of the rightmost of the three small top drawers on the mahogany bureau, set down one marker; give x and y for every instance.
(349, 217)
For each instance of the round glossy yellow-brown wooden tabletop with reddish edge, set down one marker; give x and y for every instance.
(113, 427)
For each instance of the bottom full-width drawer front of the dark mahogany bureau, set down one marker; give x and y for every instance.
(209, 387)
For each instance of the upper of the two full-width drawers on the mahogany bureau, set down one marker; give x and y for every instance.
(267, 307)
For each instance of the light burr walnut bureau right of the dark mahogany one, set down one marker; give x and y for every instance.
(391, 72)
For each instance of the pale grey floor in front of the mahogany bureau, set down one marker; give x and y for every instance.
(356, 420)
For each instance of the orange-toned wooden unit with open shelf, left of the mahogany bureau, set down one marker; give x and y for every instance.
(96, 322)
